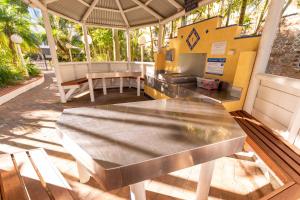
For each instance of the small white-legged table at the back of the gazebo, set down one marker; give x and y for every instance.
(103, 75)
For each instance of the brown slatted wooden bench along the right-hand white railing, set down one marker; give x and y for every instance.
(278, 155)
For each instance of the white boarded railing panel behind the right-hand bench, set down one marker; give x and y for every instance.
(277, 105)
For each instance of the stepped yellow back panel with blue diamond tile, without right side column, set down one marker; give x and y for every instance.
(214, 34)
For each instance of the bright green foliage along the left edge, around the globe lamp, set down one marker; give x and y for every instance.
(15, 19)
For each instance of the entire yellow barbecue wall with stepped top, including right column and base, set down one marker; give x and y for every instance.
(238, 66)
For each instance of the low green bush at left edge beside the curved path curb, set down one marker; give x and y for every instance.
(9, 76)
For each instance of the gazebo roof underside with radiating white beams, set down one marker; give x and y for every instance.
(121, 14)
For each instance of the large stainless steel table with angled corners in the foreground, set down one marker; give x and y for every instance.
(125, 144)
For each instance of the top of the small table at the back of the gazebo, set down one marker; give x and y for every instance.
(112, 74)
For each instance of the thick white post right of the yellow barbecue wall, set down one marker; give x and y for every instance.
(264, 50)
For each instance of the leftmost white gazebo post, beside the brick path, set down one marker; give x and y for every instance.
(52, 45)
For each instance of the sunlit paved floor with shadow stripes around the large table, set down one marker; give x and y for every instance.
(28, 122)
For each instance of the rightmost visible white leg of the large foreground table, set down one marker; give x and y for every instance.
(206, 172)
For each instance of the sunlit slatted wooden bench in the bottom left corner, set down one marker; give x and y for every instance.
(30, 175)
